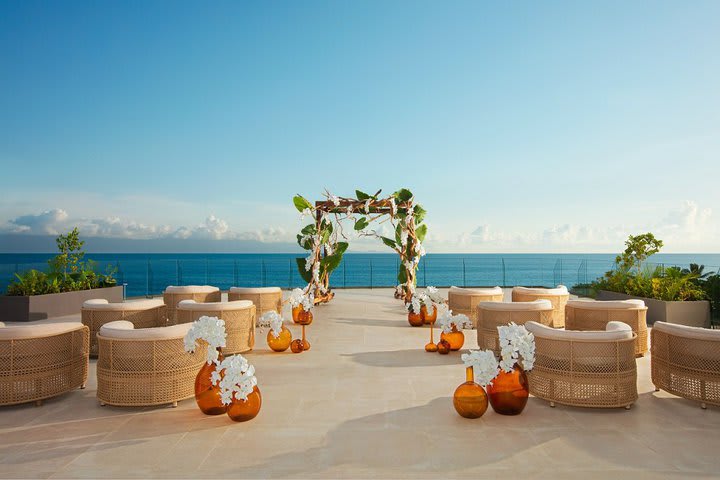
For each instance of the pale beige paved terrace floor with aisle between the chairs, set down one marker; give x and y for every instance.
(365, 402)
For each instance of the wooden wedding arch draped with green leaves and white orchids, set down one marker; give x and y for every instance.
(325, 250)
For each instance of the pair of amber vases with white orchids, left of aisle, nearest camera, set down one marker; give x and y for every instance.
(223, 385)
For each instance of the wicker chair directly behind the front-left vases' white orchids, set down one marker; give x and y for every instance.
(239, 317)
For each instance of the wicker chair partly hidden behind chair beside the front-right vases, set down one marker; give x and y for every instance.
(595, 315)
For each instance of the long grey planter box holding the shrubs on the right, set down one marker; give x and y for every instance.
(694, 314)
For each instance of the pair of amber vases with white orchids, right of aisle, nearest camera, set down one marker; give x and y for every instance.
(503, 383)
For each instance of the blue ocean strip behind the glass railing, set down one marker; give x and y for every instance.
(149, 274)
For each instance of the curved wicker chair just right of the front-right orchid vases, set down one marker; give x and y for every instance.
(584, 369)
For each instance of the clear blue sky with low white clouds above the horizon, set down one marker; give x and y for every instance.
(520, 126)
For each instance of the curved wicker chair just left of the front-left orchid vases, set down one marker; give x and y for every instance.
(145, 367)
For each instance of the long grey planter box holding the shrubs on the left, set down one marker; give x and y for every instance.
(40, 307)
